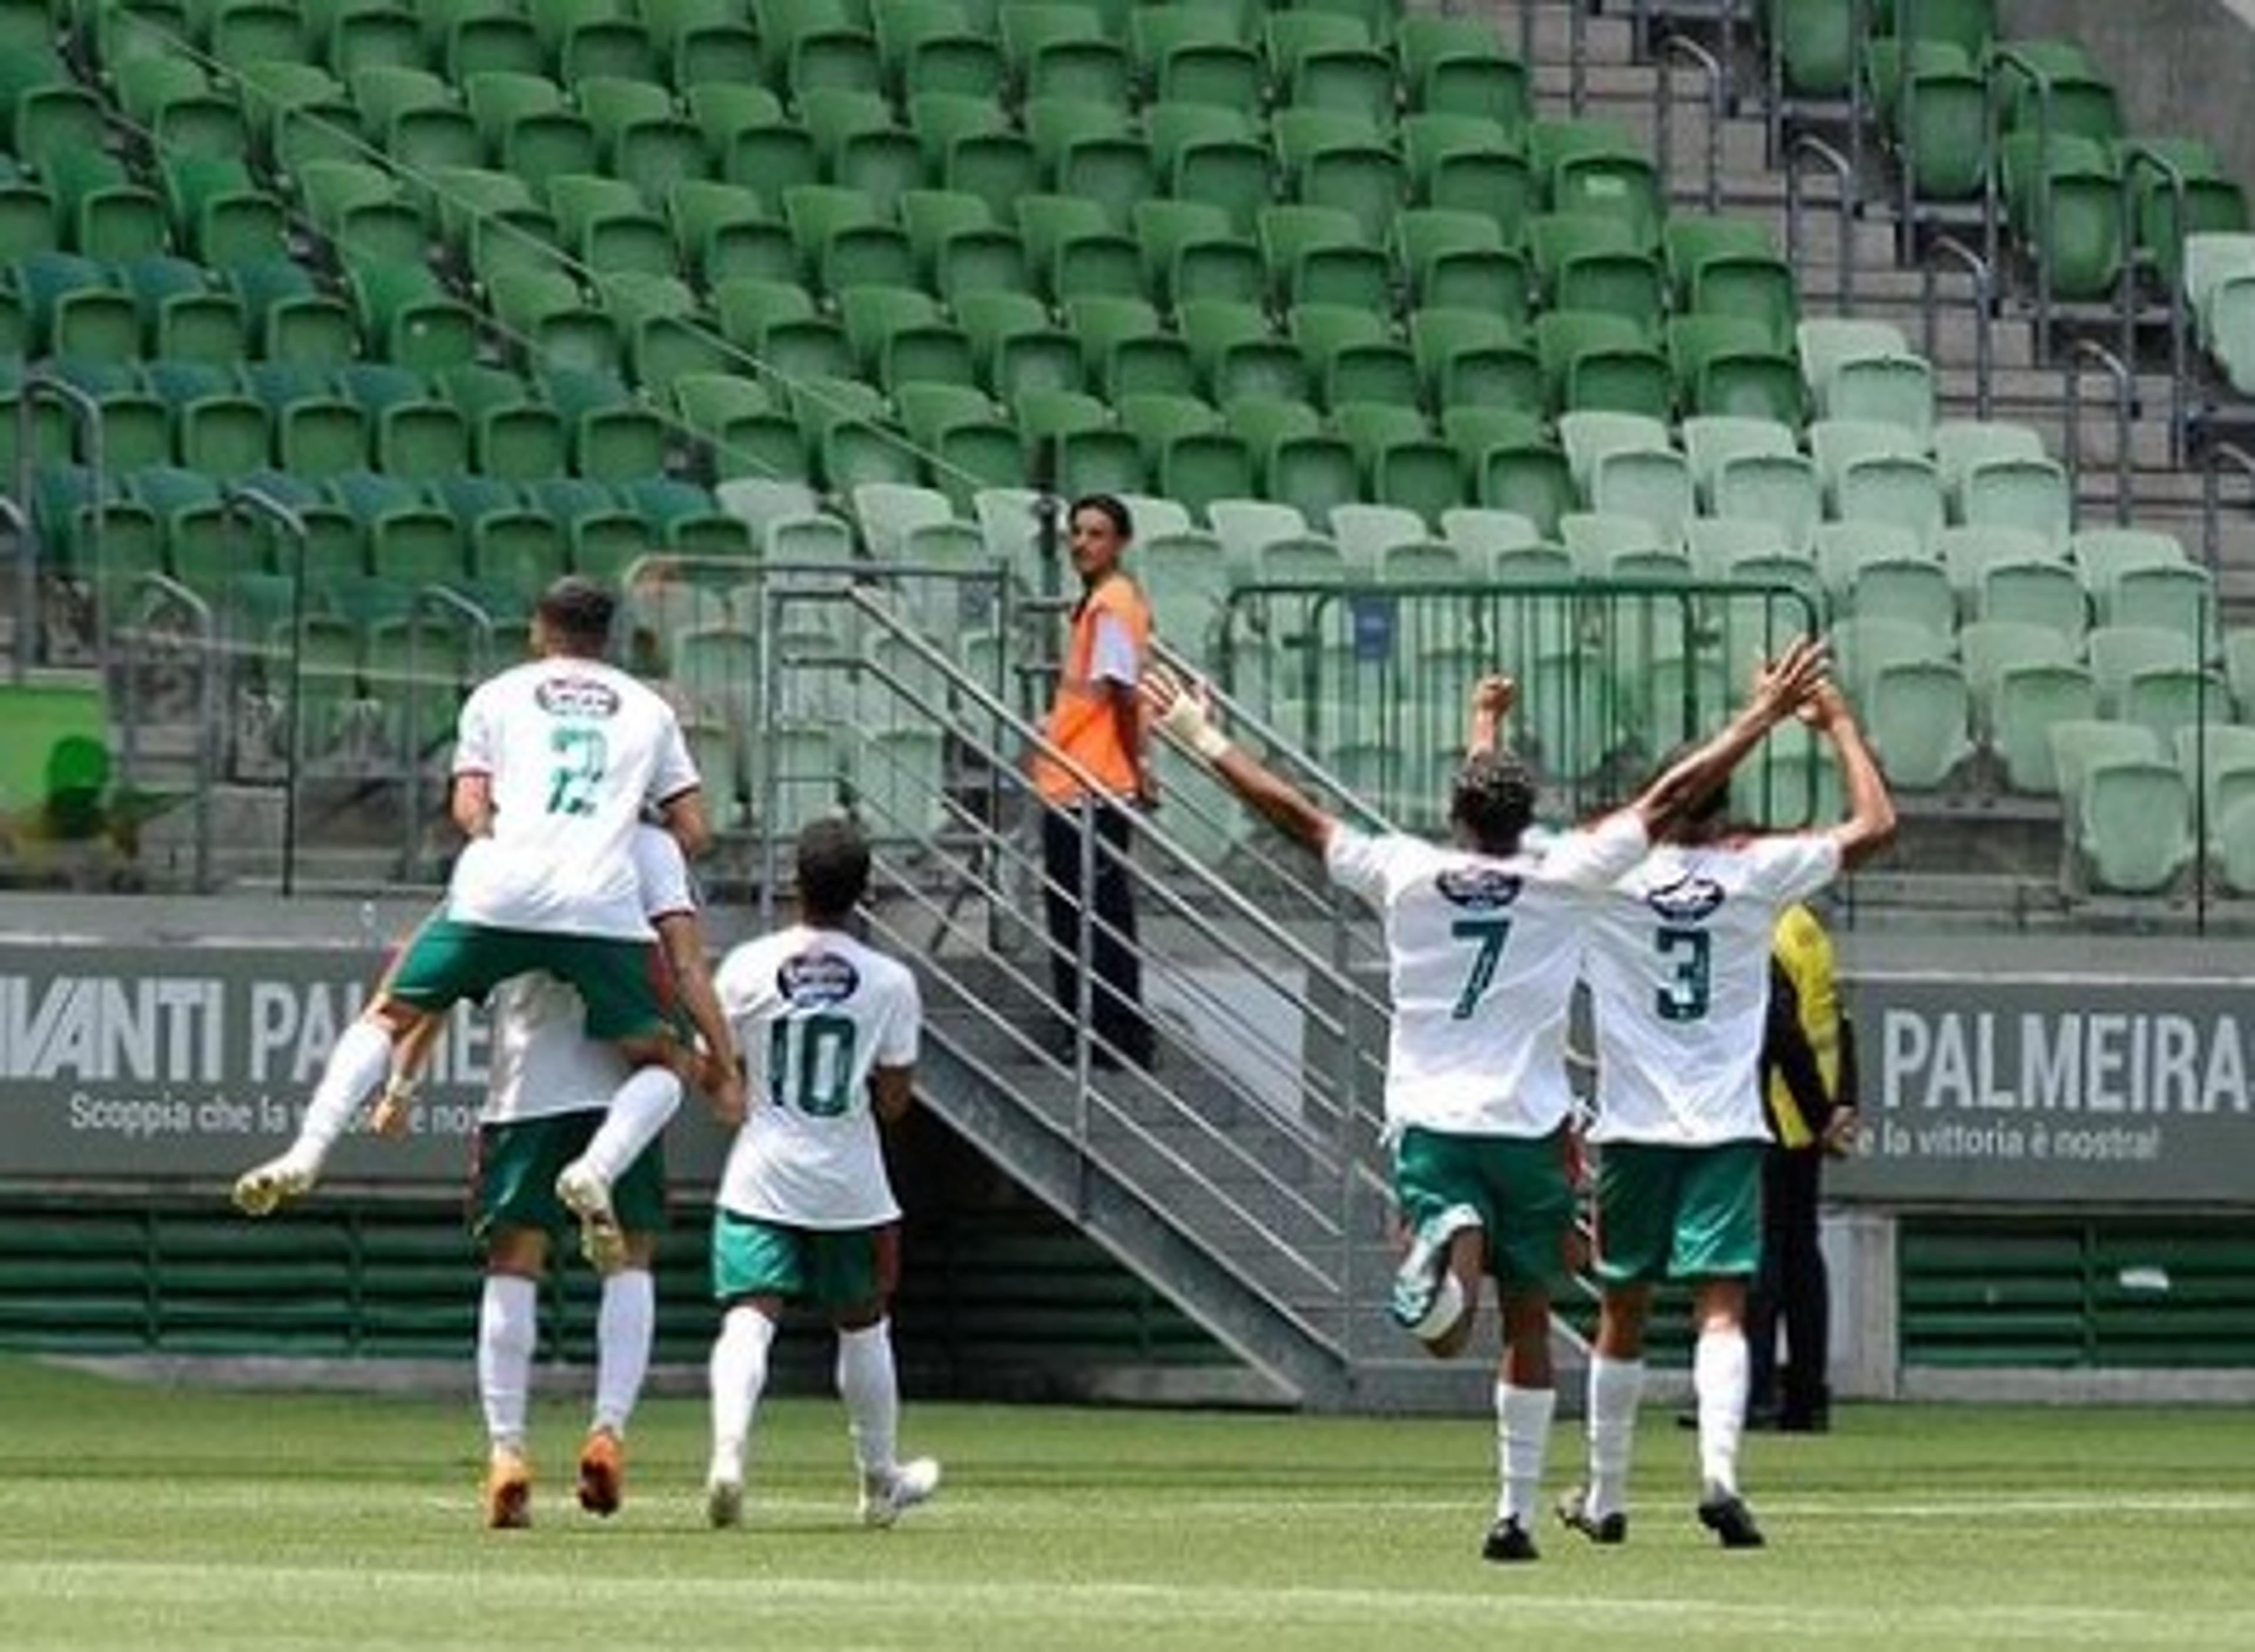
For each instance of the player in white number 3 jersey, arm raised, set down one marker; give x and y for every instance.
(1679, 972)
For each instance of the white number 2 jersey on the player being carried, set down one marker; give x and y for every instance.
(574, 752)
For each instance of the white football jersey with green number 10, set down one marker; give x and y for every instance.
(815, 1013)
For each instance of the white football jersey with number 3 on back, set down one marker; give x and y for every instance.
(1681, 984)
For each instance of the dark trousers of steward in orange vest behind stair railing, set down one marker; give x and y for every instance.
(1117, 995)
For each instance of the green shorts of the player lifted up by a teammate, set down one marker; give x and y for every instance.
(619, 979)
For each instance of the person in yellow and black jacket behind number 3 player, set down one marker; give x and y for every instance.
(1810, 1085)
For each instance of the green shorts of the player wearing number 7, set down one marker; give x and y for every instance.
(1516, 1184)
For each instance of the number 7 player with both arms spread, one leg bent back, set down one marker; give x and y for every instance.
(1480, 954)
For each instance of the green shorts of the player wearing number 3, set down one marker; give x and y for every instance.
(1679, 1214)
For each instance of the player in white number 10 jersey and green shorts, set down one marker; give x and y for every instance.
(806, 1211)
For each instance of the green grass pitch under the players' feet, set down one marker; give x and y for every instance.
(184, 1520)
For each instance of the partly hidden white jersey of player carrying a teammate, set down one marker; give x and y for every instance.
(542, 1060)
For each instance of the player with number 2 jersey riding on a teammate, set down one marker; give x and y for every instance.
(556, 763)
